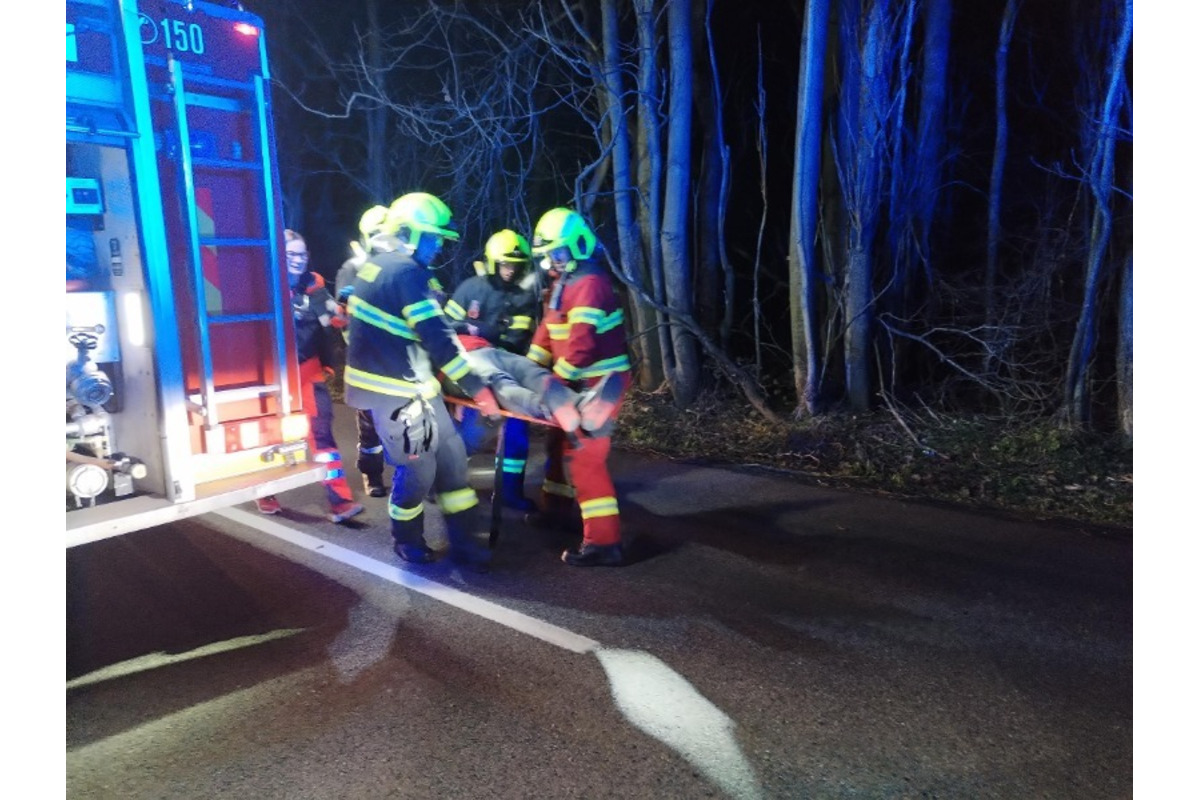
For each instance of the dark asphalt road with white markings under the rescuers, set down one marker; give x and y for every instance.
(770, 641)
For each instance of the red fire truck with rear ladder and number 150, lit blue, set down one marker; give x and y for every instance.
(183, 390)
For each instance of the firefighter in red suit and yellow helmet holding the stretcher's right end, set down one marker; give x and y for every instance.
(583, 340)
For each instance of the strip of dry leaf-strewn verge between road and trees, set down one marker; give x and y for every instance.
(1030, 471)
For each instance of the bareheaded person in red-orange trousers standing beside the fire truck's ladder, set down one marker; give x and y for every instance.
(314, 312)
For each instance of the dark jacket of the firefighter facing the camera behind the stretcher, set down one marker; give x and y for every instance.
(503, 314)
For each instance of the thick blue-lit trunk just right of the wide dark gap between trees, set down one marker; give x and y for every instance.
(802, 273)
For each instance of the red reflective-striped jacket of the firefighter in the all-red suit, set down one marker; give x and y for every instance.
(583, 336)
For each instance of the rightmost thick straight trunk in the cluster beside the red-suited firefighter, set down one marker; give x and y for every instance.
(677, 195)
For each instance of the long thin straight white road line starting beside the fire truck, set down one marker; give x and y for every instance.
(513, 619)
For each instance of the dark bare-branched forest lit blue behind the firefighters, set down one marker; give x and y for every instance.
(825, 207)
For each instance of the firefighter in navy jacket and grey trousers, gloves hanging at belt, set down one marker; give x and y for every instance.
(400, 341)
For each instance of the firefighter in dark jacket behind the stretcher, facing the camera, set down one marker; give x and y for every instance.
(499, 309)
